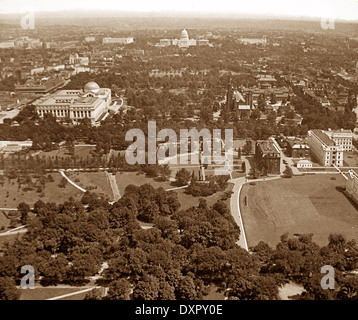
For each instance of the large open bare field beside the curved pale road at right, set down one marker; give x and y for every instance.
(306, 204)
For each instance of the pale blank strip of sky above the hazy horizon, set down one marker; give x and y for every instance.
(336, 9)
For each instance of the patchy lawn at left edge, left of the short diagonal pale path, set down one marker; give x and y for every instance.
(52, 193)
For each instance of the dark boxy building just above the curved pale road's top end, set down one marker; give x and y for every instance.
(267, 157)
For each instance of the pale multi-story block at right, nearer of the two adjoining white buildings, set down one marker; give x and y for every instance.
(324, 149)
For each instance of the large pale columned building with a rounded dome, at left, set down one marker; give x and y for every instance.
(91, 102)
